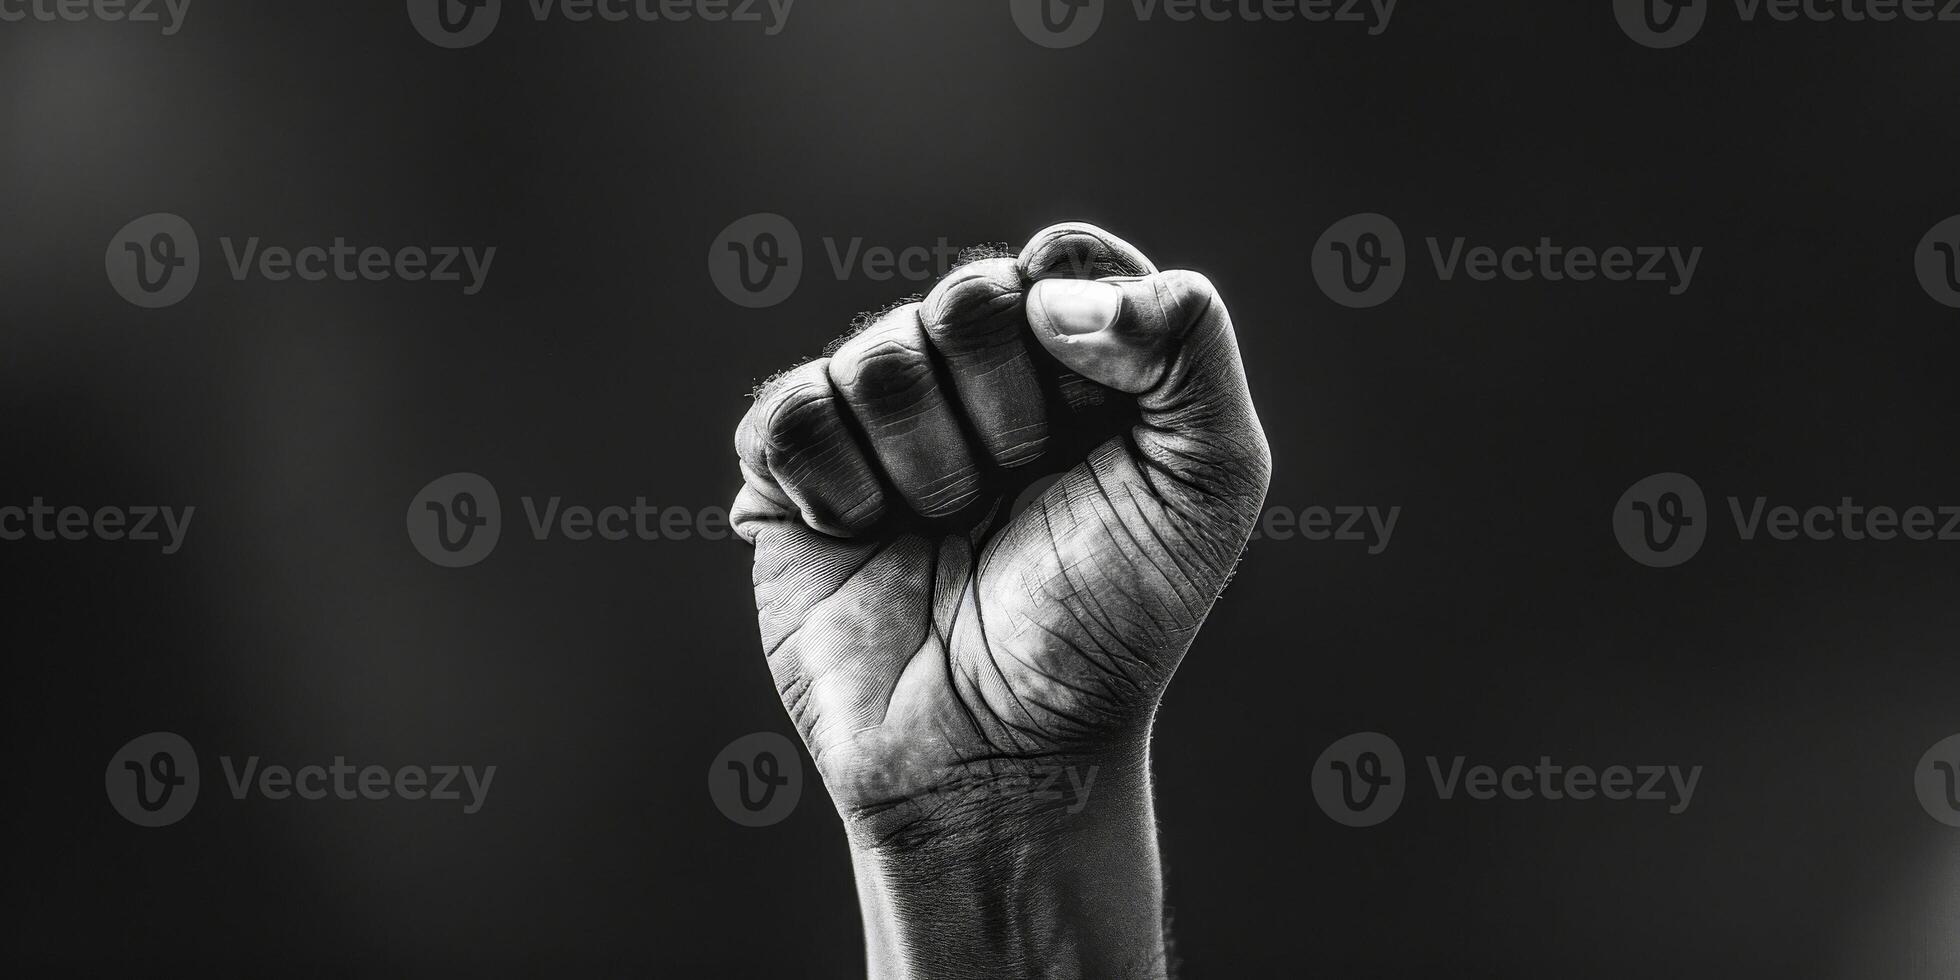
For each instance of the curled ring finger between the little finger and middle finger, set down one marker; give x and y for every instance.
(885, 377)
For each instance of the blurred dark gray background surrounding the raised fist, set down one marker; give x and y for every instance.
(601, 364)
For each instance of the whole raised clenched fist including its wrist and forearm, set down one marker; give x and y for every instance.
(975, 673)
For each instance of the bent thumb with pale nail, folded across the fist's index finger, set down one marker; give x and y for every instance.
(1167, 340)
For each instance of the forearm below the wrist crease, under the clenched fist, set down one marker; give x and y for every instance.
(1034, 887)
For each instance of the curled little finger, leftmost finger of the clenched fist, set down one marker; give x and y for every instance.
(799, 454)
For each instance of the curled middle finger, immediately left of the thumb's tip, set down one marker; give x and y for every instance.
(979, 328)
